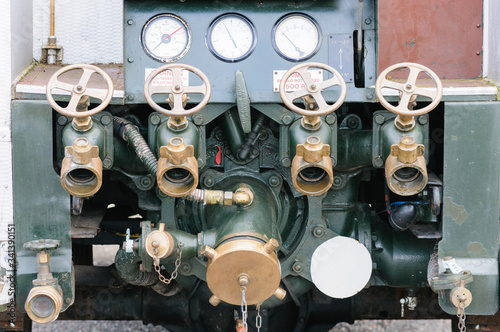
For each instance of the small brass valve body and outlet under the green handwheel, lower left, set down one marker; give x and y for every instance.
(44, 301)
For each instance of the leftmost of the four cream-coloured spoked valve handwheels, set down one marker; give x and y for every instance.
(79, 90)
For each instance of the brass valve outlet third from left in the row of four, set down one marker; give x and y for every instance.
(312, 172)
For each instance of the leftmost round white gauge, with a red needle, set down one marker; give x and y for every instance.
(166, 38)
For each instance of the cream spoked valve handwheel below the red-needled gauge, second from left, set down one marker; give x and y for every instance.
(177, 90)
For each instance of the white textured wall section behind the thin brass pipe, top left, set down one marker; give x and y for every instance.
(89, 31)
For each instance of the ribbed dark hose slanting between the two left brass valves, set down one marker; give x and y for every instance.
(130, 133)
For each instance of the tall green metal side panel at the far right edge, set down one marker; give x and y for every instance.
(471, 199)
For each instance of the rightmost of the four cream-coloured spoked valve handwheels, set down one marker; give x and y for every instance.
(409, 89)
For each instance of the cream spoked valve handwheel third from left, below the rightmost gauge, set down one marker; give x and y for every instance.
(313, 89)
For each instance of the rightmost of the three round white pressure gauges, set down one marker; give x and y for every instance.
(296, 37)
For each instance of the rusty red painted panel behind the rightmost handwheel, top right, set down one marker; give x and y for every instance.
(444, 35)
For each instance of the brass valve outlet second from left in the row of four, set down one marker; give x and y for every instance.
(177, 174)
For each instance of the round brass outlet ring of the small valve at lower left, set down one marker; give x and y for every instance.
(43, 304)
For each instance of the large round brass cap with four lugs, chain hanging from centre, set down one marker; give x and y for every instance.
(243, 263)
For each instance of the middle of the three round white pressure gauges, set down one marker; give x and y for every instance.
(231, 37)
